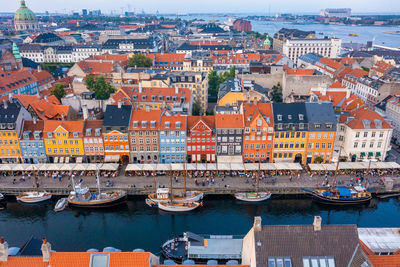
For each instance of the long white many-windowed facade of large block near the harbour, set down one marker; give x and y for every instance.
(293, 48)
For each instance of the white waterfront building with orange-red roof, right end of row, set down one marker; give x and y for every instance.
(364, 135)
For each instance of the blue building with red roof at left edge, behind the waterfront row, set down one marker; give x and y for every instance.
(20, 82)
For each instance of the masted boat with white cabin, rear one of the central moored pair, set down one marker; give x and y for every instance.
(162, 195)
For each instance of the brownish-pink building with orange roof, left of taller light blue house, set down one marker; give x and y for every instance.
(144, 136)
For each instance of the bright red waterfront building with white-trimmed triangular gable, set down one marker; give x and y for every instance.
(201, 139)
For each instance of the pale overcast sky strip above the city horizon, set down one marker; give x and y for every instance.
(219, 6)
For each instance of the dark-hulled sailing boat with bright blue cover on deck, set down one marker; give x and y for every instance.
(341, 195)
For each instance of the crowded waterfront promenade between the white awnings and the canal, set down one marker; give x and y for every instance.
(142, 185)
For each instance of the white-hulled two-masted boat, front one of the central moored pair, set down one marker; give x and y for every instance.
(175, 206)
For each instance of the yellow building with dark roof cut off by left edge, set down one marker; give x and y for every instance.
(12, 116)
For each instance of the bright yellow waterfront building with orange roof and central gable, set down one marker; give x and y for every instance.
(63, 141)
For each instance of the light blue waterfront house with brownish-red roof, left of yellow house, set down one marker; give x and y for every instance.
(31, 142)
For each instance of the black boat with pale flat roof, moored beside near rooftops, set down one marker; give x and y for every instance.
(203, 248)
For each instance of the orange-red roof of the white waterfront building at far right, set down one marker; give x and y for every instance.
(365, 118)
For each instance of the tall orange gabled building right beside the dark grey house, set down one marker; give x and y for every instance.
(258, 132)
